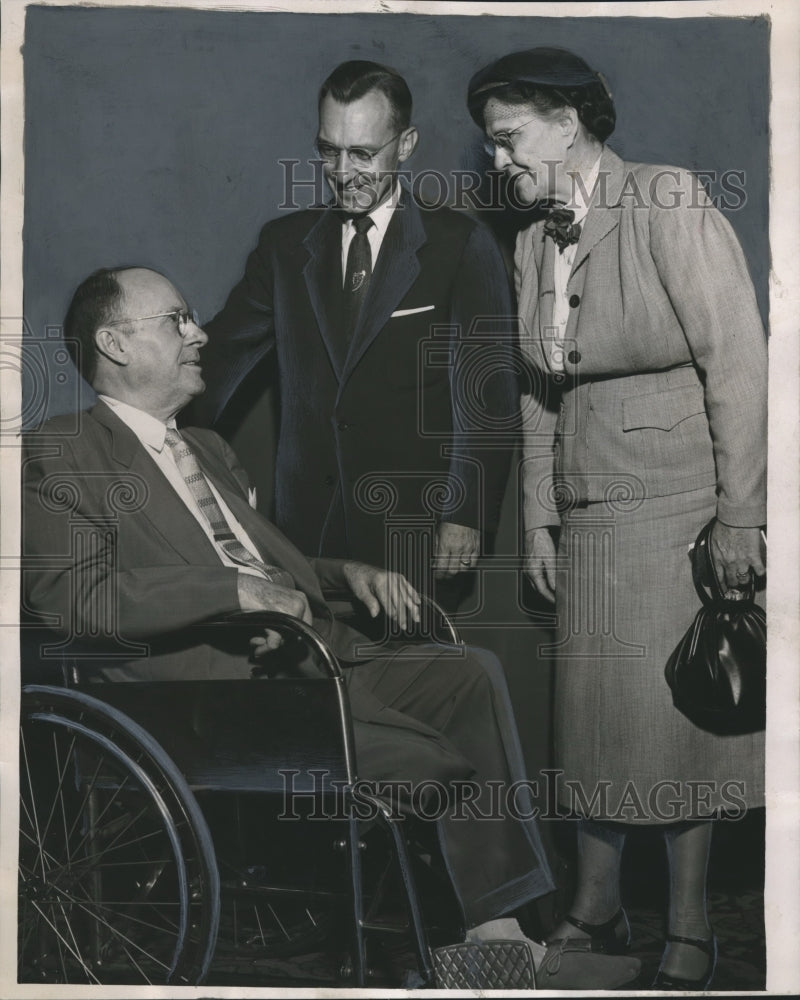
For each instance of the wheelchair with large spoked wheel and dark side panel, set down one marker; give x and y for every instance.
(146, 851)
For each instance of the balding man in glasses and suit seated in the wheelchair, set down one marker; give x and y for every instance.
(137, 532)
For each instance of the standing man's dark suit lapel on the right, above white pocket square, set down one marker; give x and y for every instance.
(395, 271)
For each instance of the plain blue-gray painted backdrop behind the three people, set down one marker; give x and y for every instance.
(152, 137)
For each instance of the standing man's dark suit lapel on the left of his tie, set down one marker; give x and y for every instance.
(323, 278)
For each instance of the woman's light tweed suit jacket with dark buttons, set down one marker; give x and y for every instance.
(665, 383)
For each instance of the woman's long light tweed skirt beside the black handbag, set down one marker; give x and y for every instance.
(624, 598)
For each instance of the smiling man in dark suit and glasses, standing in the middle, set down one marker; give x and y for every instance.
(391, 327)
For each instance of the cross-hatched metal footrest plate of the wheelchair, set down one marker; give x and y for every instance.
(490, 965)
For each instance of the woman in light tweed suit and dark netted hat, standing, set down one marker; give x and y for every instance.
(645, 418)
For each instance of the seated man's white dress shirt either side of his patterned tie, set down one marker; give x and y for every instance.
(152, 434)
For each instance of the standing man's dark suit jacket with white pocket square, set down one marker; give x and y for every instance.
(425, 382)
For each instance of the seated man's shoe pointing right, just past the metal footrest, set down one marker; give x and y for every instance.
(570, 964)
